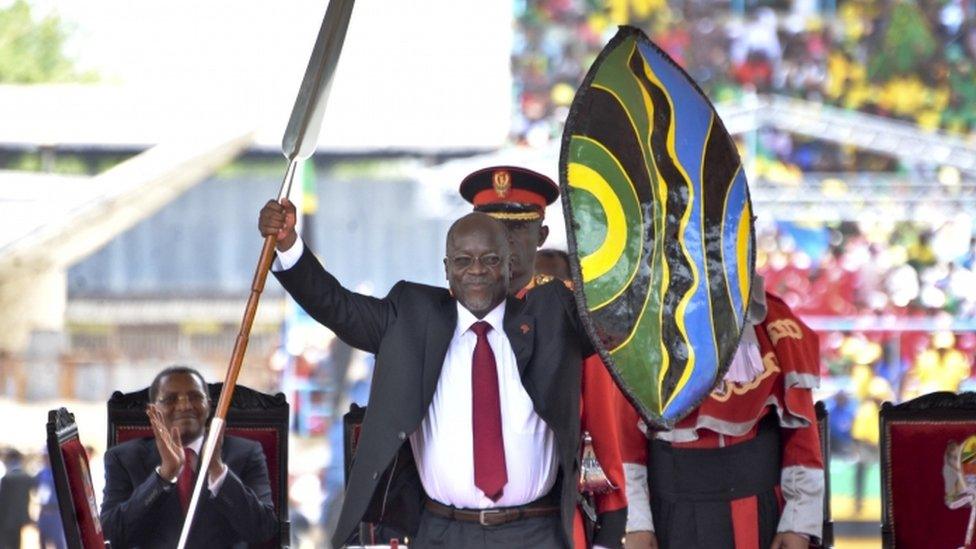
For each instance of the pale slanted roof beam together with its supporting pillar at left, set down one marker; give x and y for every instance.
(50, 222)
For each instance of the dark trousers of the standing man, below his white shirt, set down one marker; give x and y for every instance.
(535, 533)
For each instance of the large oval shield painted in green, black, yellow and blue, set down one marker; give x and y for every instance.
(659, 227)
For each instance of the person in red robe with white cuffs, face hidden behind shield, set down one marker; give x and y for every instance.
(744, 469)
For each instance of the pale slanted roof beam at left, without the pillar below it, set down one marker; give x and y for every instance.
(52, 221)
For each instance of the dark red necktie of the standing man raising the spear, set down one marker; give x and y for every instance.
(486, 418)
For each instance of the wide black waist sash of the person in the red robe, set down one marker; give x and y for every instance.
(720, 474)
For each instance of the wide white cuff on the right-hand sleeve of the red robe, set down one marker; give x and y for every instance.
(803, 491)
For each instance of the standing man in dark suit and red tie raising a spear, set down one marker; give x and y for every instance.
(485, 387)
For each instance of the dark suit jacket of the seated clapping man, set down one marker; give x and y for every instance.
(140, 509)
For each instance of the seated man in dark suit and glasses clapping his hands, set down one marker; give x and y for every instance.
(148, 481)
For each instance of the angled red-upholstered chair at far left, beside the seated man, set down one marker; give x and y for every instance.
(72, 482)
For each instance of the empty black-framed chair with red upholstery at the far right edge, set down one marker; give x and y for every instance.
(914, 439)
